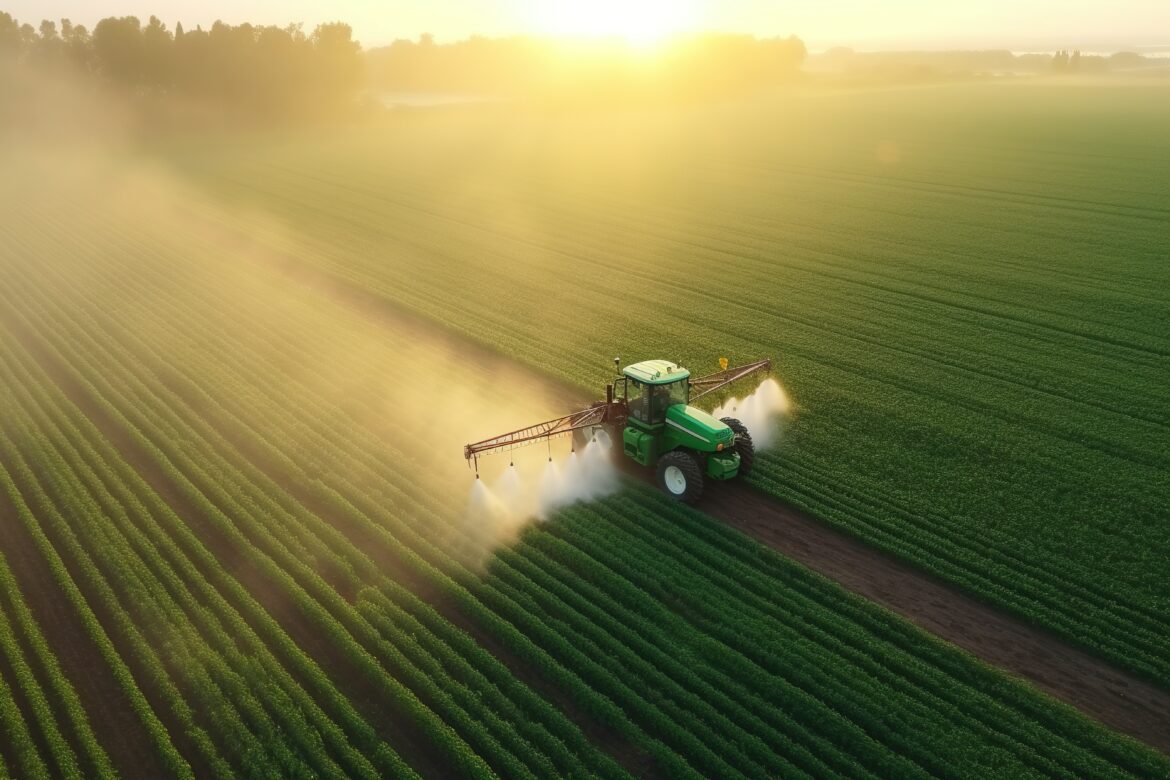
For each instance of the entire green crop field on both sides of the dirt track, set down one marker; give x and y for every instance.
(236, 377)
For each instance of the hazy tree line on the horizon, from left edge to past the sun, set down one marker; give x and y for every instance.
(284, 72)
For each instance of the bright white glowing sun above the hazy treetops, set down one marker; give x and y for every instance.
(642, 23)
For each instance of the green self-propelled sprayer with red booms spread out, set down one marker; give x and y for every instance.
(648, 413)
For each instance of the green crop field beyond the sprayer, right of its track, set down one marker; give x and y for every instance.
(962, 289)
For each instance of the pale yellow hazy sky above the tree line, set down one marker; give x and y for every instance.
(925, 24)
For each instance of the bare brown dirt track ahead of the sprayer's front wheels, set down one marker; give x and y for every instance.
(1092, 686)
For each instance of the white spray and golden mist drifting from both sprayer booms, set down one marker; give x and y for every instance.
(415, 391)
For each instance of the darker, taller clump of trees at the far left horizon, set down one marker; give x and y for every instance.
(260, 70)
